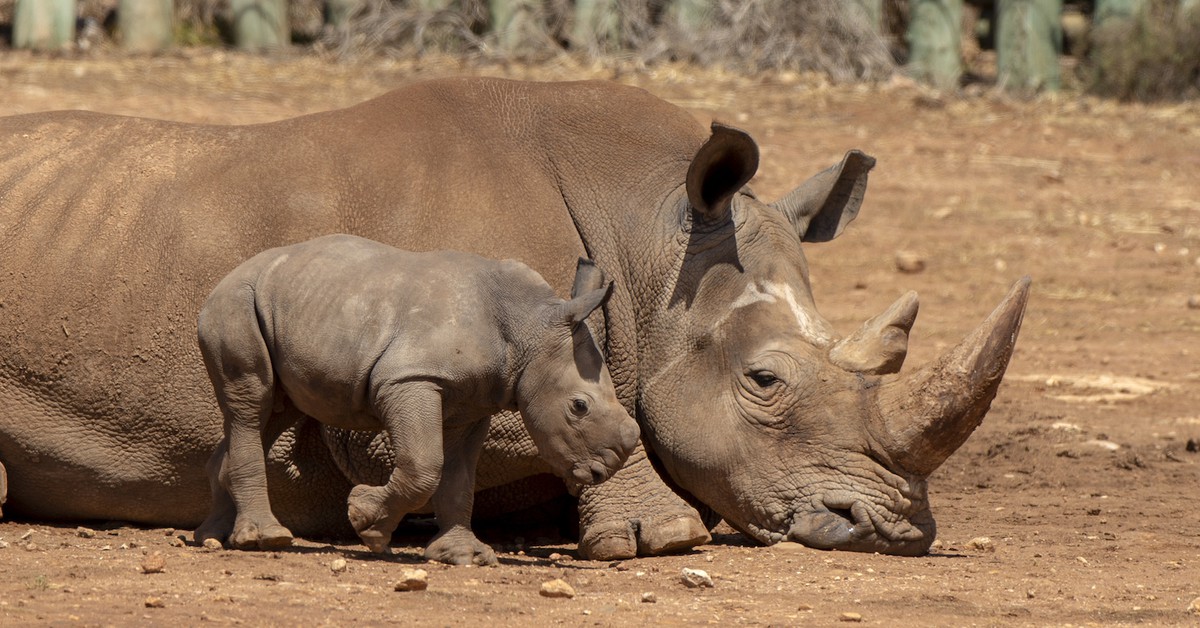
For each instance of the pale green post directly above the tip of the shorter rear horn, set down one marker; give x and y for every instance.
(935, 43)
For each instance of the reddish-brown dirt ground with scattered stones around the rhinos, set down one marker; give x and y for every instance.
(1075, 504)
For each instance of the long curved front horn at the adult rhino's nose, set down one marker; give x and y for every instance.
(929, 414)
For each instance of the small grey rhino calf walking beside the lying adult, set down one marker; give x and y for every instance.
(427, 346)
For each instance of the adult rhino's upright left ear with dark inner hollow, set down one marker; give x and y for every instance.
(725, 164)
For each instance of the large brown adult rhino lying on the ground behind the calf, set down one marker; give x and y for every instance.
(113, 230)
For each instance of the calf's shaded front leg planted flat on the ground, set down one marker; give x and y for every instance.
(453, 503)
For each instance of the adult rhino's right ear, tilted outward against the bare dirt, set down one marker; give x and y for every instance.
(823, 207)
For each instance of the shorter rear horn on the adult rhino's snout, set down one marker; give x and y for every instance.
(881, 345)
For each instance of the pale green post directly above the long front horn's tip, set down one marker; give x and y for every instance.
(1029, 44)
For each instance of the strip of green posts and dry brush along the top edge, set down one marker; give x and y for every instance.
(1130, 50)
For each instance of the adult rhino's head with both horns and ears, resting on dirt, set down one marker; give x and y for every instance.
(753, 403)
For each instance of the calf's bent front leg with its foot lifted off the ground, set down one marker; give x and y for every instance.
(412, 416)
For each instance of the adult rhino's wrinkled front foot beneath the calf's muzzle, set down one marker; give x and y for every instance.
(637, 515)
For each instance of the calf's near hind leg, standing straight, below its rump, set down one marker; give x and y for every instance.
(241, 368)
